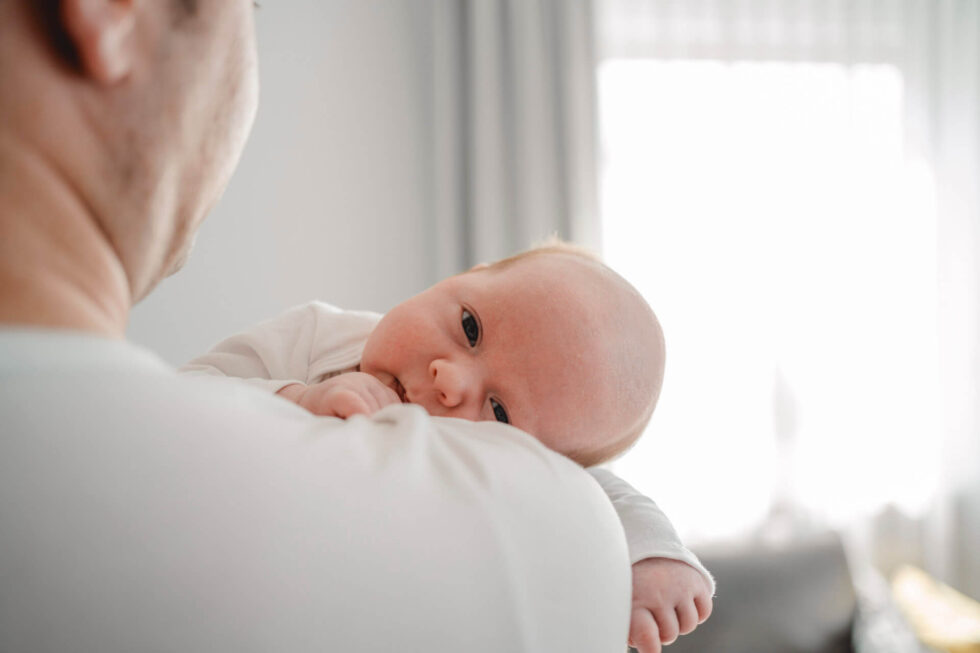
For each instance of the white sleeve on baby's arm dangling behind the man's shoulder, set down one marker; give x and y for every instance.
(649, 534)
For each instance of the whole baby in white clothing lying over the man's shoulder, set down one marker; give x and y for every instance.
(550, 341)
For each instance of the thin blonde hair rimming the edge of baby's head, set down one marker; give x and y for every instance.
(621, 442)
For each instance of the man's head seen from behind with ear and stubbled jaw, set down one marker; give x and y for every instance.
(133, 113)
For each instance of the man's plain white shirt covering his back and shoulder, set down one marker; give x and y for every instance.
(140, 509)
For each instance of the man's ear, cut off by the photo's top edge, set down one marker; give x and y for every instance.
(103, 34)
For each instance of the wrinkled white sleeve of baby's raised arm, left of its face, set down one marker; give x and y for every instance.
(301, 345)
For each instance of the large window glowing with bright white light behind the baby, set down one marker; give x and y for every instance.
(772, 218)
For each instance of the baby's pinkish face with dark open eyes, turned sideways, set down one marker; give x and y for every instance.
(511, 344)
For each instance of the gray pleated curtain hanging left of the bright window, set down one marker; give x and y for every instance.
(511, 144)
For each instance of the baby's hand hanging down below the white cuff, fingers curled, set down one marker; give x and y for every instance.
(669, 598)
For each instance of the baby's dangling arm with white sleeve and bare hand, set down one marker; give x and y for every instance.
(671, 588)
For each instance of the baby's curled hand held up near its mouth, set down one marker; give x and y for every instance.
(350, 393)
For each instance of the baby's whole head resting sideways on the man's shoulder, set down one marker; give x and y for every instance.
(551, 341)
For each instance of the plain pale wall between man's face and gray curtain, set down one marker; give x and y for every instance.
(329, 200)
